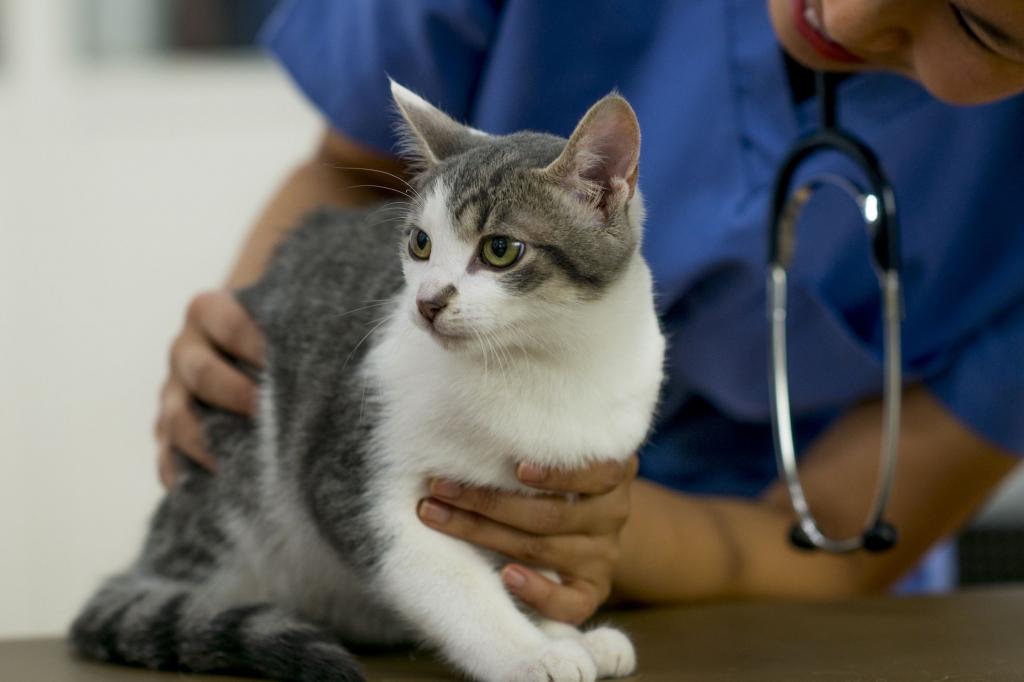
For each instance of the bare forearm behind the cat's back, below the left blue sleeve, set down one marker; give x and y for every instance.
(330, 179)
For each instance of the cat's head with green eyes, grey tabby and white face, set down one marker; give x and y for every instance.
(511, 236)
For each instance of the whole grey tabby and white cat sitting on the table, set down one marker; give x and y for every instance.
(517, 323)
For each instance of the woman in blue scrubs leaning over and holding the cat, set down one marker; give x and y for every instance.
(721, 90)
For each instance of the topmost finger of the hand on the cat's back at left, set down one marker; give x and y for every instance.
(222, 319)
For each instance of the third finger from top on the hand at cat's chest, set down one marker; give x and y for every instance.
(564, 553)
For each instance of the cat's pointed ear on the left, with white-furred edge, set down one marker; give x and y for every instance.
(431, 136)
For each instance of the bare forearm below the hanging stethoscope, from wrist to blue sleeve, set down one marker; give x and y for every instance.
(678, 547)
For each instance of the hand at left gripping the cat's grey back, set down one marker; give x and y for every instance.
(217, 328)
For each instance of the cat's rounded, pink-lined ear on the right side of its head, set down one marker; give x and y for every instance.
(602, 160)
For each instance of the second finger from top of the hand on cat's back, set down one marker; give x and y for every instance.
(210, 378)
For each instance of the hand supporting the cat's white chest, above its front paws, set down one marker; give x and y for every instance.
(576, 538)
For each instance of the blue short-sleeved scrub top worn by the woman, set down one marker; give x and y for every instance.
(709, 84)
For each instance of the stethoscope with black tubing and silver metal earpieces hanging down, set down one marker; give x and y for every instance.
(878, 208)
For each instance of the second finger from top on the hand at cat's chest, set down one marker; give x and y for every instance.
(542, 515)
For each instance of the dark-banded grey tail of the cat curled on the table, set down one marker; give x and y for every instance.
(161, 624)
